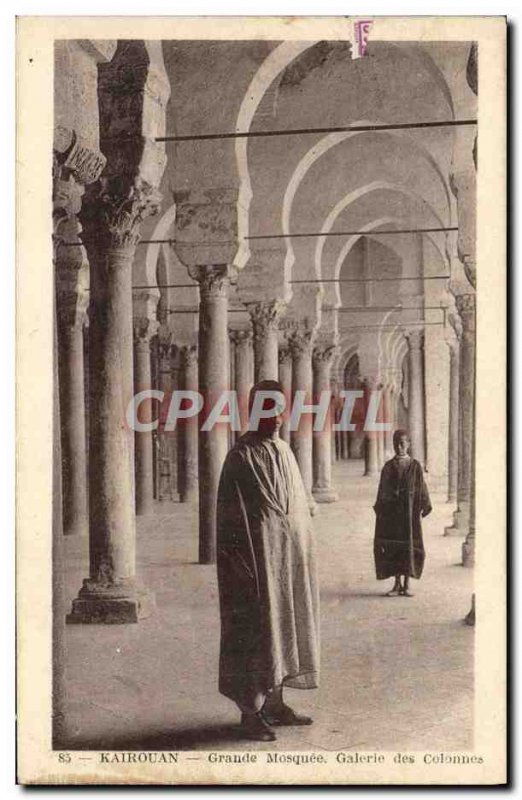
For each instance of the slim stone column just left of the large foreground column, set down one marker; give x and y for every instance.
(71, 320)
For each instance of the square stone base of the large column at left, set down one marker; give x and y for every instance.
(110, 605)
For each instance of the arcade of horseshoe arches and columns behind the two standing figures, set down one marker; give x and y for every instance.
(182, 264)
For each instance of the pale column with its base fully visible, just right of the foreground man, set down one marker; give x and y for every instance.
(322, 440)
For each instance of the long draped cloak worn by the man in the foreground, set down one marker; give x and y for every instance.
(268, 589)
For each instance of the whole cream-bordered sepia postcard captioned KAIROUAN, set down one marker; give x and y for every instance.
(261, 371)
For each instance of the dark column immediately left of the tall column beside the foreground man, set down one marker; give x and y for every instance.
(188, 429)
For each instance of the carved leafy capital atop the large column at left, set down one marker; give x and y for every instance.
(111, 220)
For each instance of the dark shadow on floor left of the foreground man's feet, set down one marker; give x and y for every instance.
(202, 737)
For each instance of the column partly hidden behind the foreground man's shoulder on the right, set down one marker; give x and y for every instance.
(301, 343)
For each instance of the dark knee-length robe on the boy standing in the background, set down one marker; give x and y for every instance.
(401, 501)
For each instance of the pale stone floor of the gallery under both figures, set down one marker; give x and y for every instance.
(397, 673)
